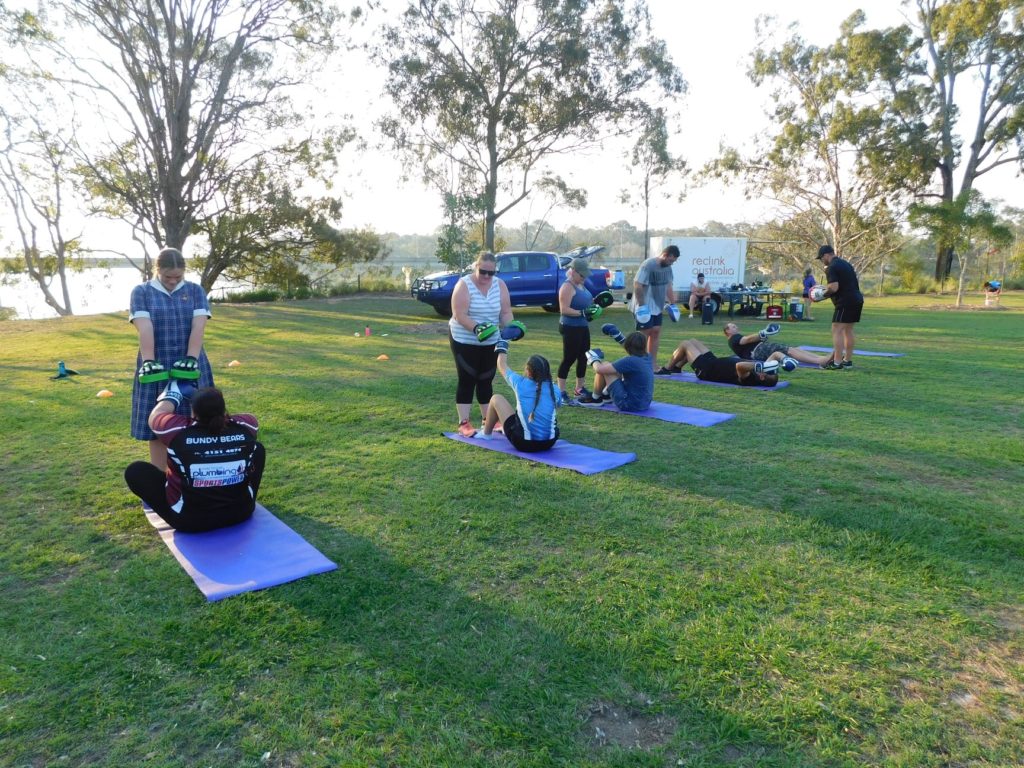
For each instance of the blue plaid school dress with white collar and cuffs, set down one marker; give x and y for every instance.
(172, 315)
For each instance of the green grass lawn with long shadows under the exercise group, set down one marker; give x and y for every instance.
(834, 578)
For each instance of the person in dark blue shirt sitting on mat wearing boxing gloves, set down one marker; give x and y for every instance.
(629, 382)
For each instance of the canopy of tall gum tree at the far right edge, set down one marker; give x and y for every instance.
(941, 99)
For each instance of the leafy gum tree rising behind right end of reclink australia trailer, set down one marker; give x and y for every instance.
(808, 164)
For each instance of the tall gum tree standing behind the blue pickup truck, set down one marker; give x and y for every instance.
(499, 88)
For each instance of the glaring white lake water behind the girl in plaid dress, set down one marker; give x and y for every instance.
(94, 291)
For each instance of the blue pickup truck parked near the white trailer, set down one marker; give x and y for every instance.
(533, 279)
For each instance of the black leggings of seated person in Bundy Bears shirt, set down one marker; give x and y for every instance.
(149, 484)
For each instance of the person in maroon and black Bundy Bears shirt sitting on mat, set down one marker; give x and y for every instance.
(215, 465)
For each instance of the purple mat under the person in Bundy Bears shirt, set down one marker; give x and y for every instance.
(259, 553)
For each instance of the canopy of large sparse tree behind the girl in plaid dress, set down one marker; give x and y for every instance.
(187, 99)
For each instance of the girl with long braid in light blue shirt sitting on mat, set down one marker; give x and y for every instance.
(533, 424)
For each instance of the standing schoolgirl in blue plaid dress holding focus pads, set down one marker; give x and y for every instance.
(169, 315)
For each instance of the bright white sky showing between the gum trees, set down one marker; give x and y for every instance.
(711, 44)
